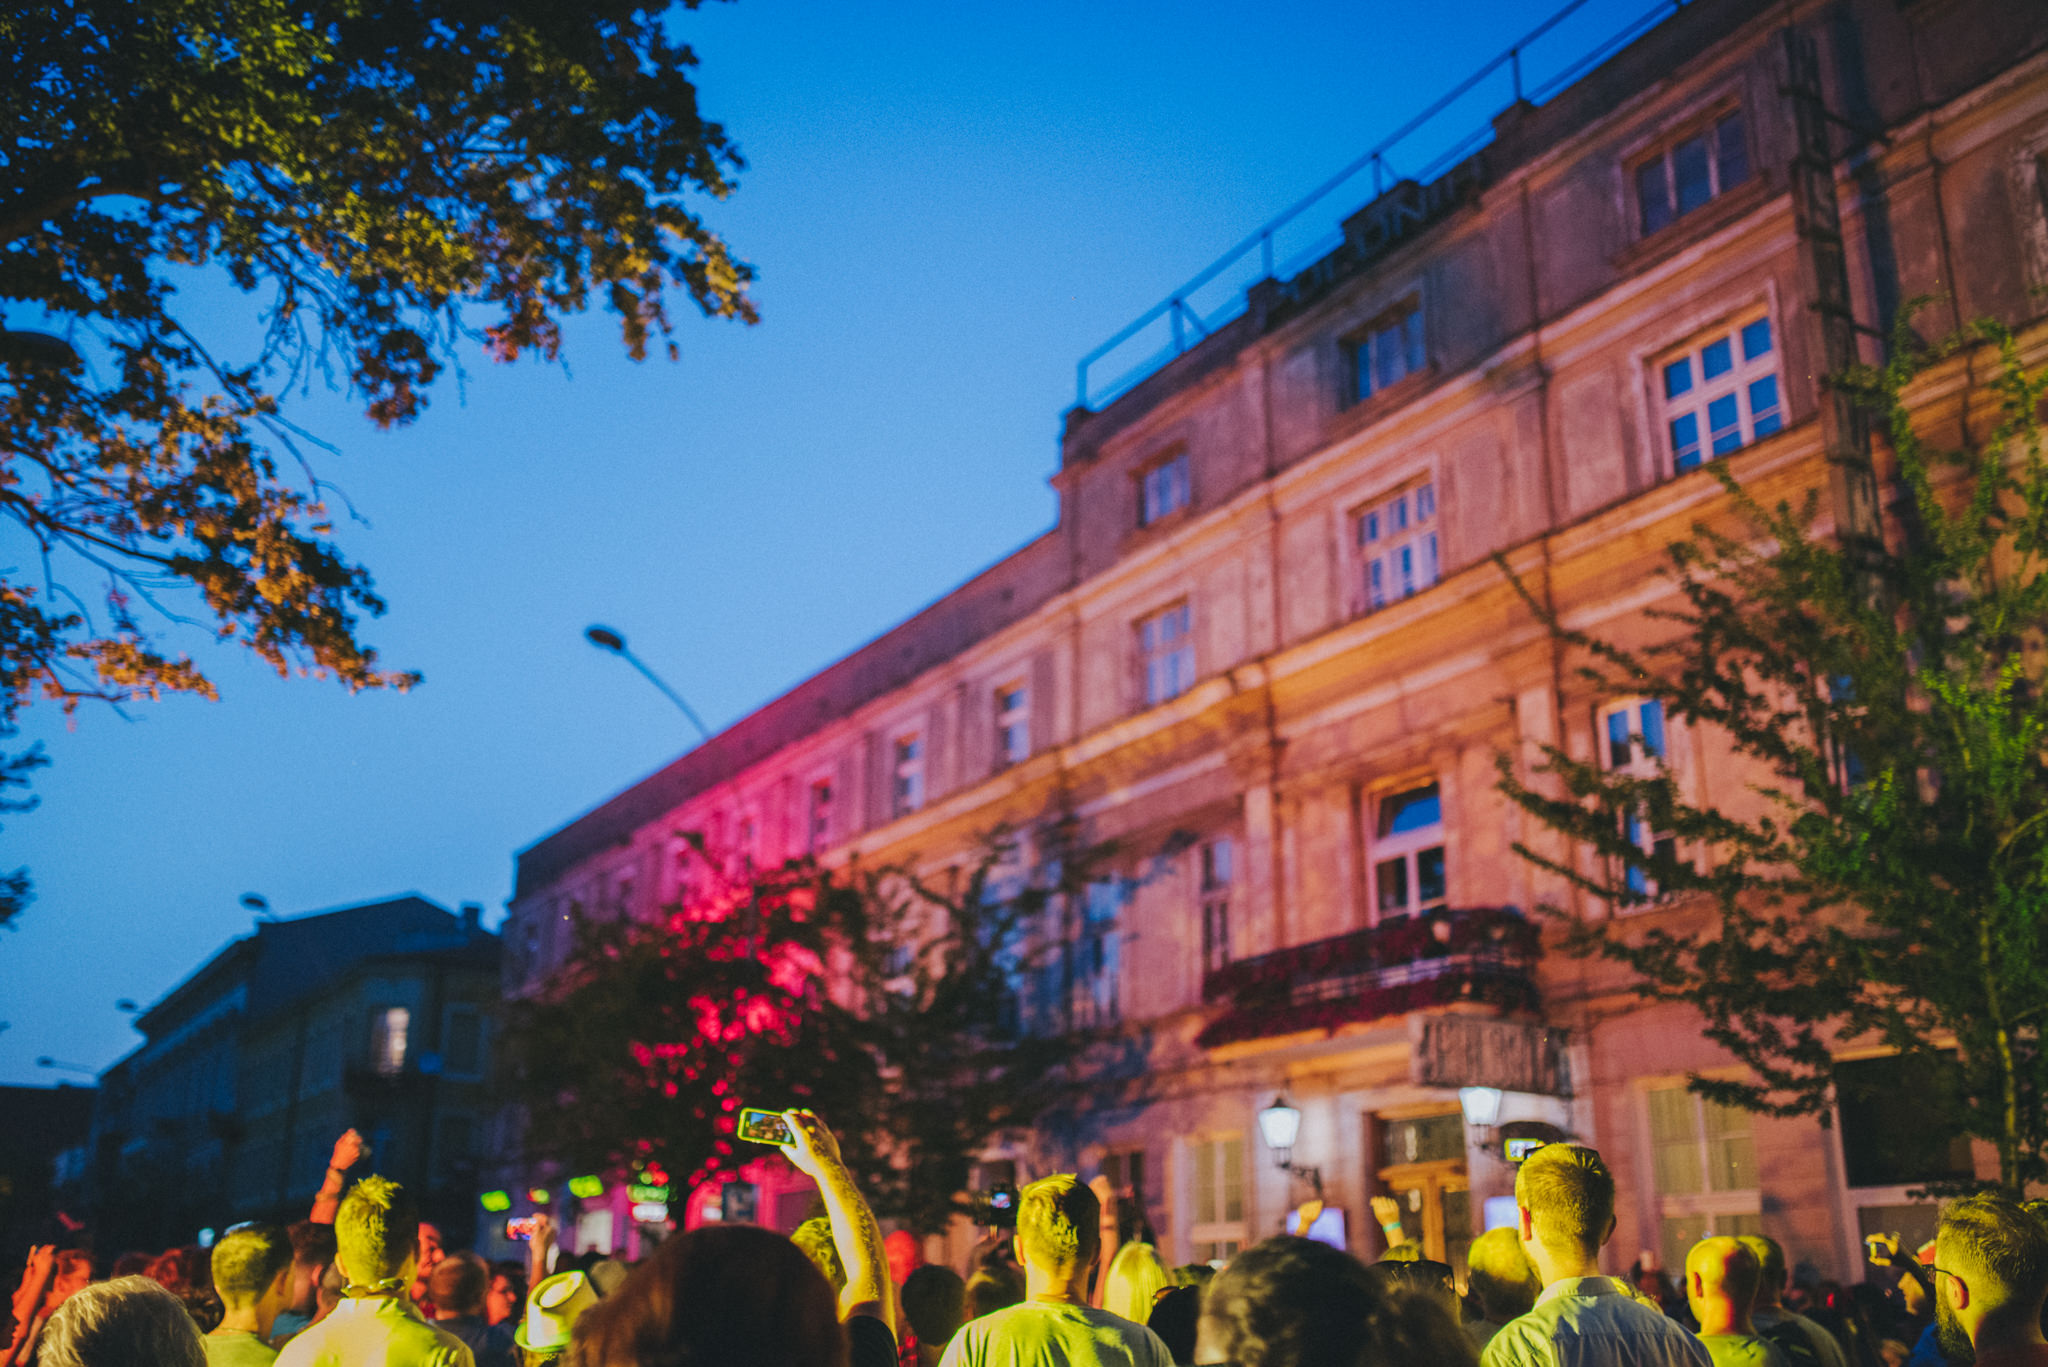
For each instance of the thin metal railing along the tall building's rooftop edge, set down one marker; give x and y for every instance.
(1283, 247)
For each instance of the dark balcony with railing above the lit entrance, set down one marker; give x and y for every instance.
(1484, 956)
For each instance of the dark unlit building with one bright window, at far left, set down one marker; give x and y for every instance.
(370, 1018)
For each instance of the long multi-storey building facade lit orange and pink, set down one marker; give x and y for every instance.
(1267, 649)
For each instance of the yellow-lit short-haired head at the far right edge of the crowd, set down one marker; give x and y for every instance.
(1992, 1274)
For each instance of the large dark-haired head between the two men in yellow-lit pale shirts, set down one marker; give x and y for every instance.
(1293, 1302)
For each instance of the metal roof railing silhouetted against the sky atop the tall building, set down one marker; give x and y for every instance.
(1218, 294)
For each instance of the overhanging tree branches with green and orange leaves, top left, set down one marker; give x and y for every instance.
(388, 181)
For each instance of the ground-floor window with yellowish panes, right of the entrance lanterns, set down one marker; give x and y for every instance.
(1705, 1167)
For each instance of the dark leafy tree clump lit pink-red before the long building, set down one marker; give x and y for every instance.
(878, 997)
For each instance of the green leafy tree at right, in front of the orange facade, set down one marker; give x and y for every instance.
(1887, 876)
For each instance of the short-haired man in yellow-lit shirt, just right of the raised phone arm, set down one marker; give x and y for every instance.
(1060, 1235)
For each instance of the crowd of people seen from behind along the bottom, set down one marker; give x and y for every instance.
(366, 1284)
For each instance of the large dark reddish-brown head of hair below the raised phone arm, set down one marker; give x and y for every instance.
(718, 1294)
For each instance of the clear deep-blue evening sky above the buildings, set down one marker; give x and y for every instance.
(949, 206)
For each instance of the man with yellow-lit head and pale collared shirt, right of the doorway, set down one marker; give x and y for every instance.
(1566, 1212)
